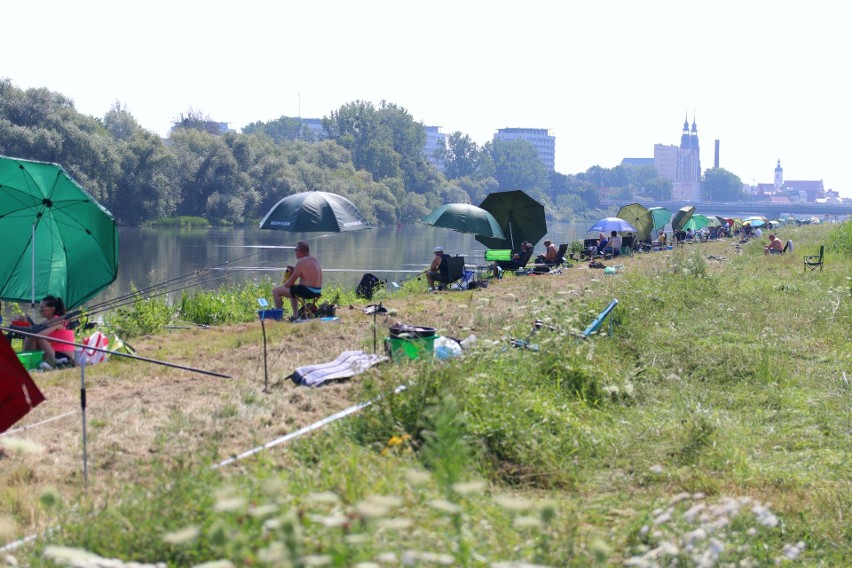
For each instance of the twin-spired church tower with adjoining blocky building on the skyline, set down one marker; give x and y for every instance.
(681, 164)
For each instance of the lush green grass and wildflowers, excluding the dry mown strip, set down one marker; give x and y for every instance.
(713, 423)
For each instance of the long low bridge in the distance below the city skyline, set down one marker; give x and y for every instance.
(744, 208)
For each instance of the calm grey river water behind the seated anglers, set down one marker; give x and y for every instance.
(149, 257)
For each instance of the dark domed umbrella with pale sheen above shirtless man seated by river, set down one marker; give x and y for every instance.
(314, 211)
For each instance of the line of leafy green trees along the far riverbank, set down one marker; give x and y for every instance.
(371, 154)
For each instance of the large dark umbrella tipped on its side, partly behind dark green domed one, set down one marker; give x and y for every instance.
(520, 217)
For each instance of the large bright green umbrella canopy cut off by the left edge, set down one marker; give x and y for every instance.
(59, 240)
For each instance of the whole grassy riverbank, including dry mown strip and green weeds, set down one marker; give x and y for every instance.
(713, 425)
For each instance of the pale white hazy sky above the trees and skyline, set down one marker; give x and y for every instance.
(607, 78)
